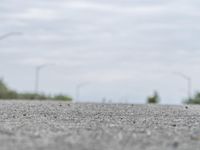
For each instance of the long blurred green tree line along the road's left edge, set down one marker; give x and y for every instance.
(7, 93)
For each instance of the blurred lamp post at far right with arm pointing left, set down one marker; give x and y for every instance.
(189, 83)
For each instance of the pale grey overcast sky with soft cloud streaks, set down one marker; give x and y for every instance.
(122, 49)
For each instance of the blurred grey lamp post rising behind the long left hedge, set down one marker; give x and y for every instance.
(37, 76)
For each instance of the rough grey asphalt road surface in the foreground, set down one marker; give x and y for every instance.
(43, 125)
